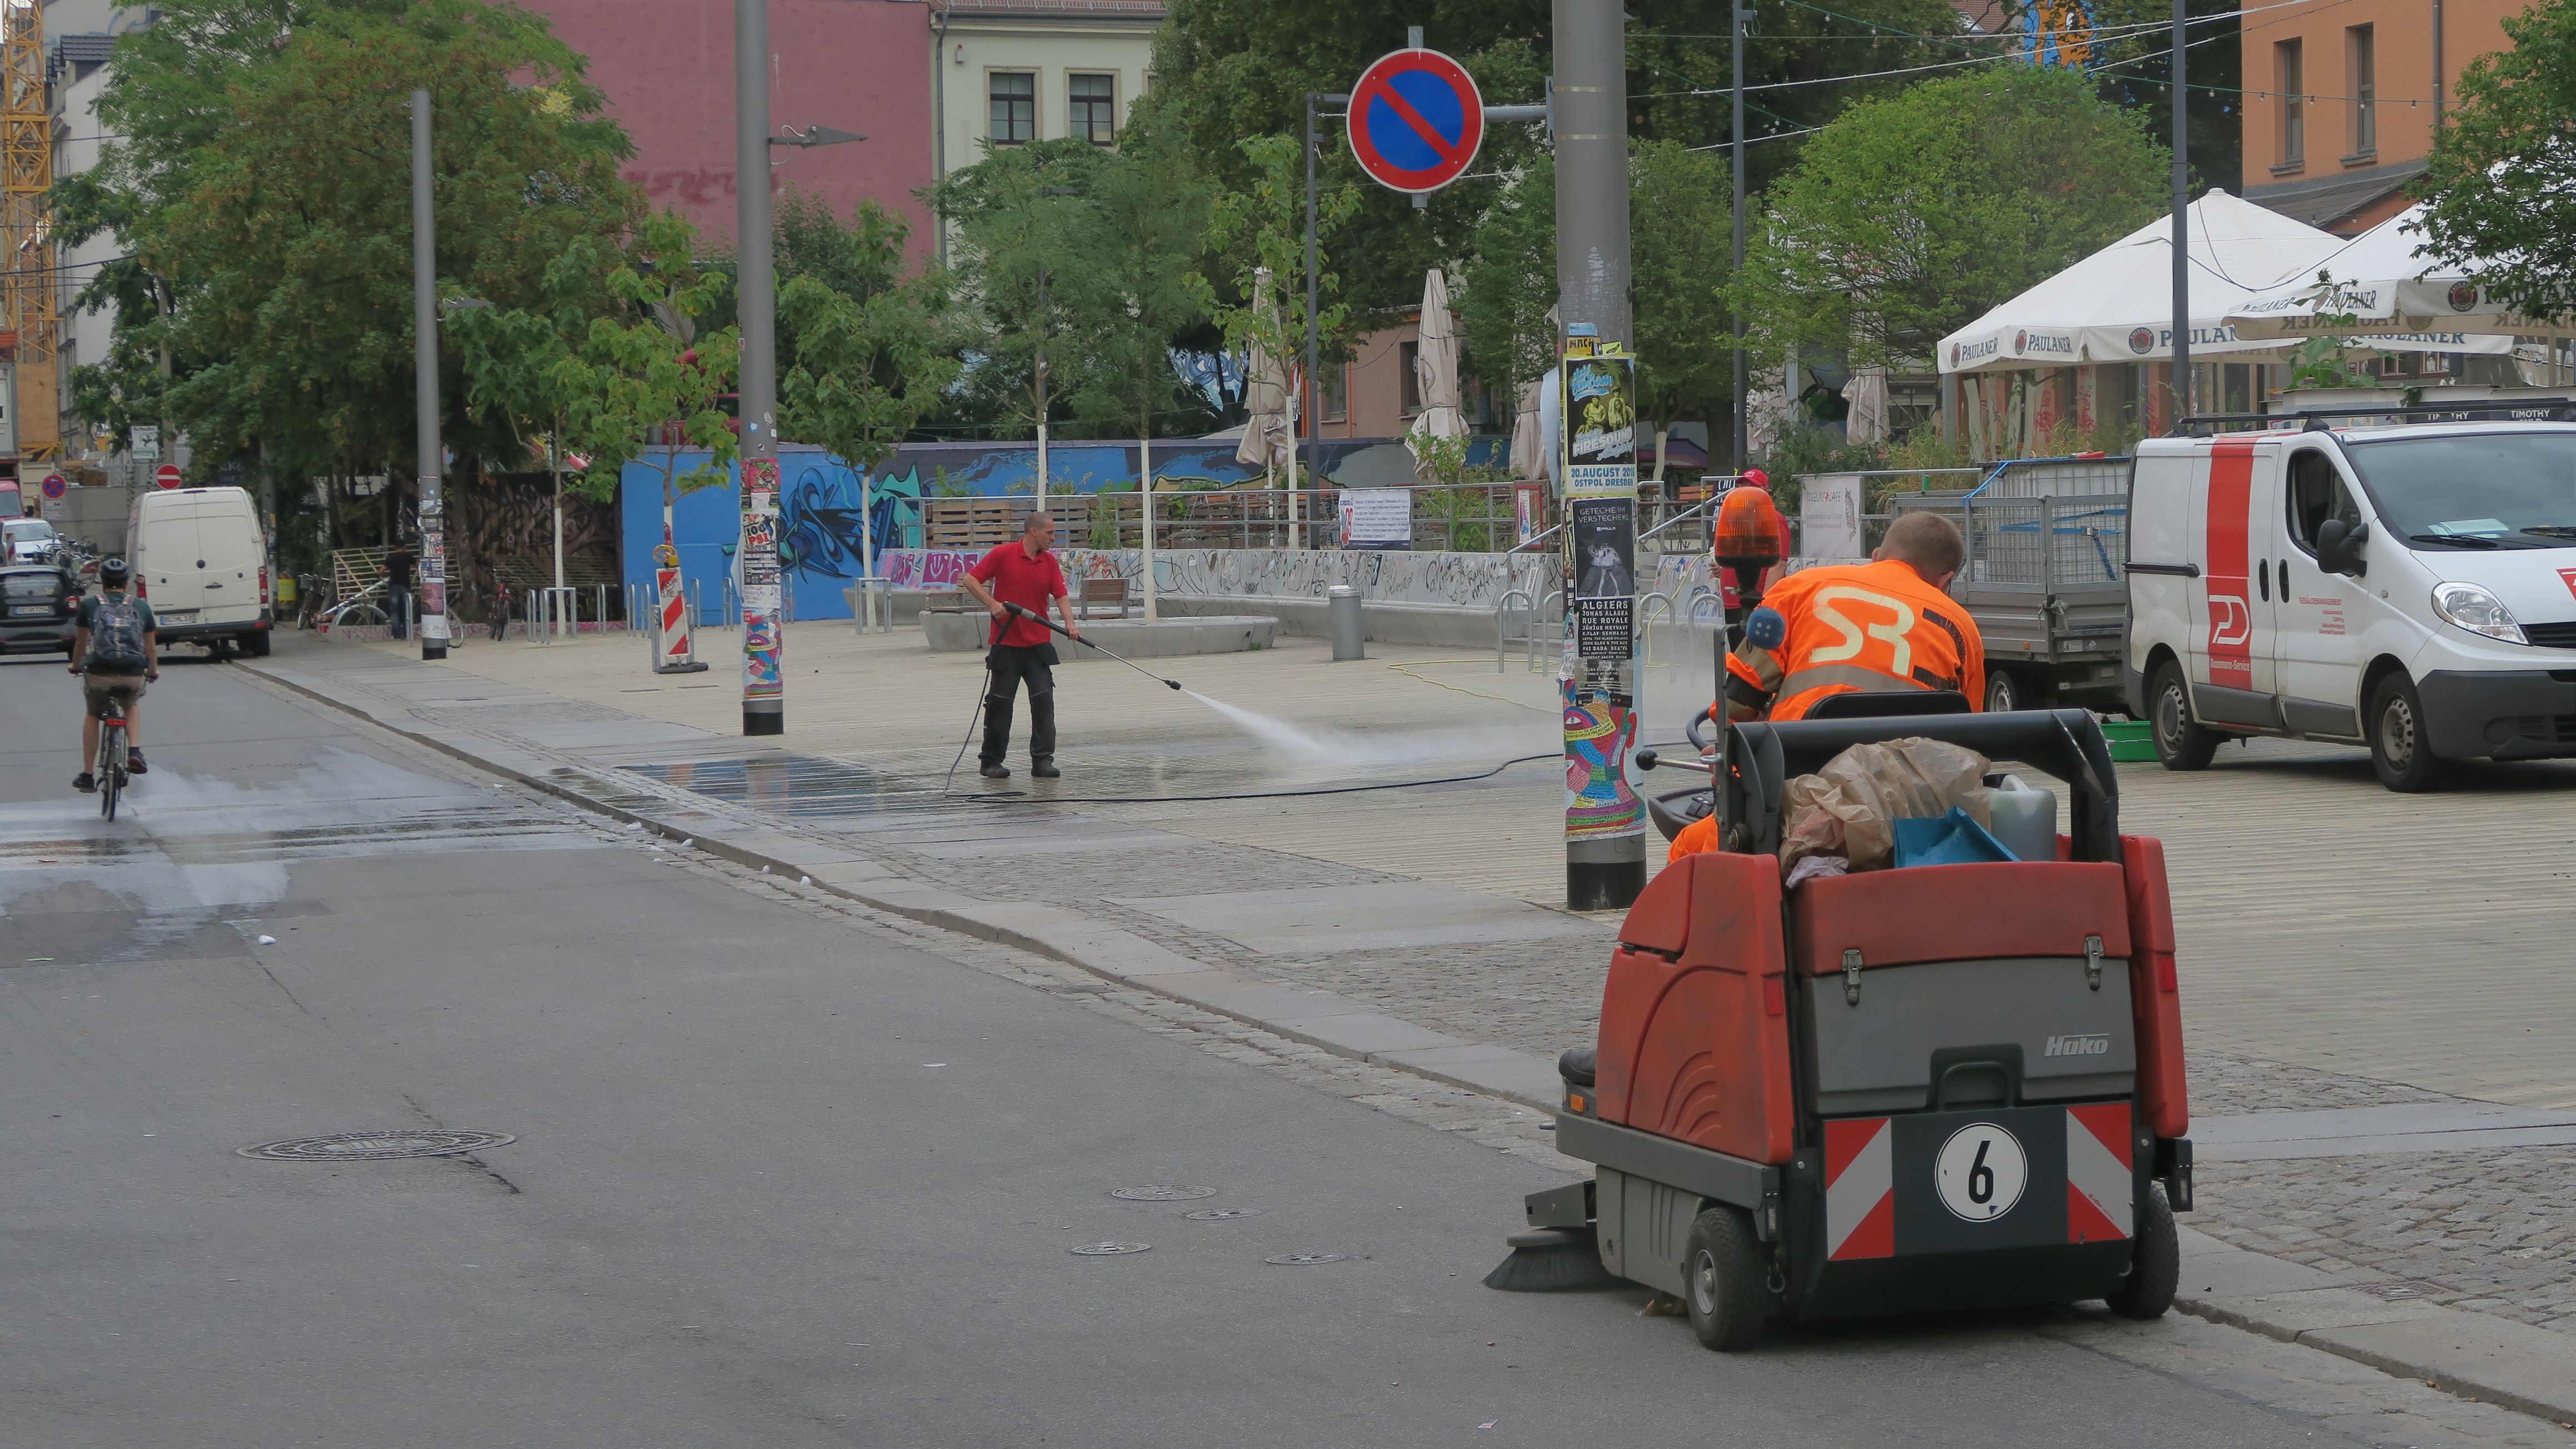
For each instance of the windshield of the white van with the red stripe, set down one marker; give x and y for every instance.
(2482, 490)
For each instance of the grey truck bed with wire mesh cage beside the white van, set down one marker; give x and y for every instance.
(2047, 578)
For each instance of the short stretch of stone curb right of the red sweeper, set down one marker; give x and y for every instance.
(2472, 1355)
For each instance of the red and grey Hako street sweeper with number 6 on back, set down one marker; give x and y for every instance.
(1882, 1093)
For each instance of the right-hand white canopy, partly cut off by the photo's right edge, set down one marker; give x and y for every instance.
(2384, 279)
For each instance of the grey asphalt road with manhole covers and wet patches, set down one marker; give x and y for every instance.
(782, 1180)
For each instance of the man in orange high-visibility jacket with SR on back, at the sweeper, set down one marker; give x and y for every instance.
(1856, 629)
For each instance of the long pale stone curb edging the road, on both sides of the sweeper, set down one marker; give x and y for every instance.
(2474, 1355)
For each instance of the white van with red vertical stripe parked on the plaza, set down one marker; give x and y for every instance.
(2402, 588)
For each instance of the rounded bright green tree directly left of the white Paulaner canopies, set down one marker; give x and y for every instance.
(1915, 215)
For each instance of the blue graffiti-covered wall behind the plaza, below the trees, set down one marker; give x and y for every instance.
(820, 501)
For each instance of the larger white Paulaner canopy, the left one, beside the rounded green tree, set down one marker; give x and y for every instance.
(2119, 305)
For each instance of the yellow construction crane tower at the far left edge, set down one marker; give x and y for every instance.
(27, 230)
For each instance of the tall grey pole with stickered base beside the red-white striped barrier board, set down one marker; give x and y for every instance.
(764, 694)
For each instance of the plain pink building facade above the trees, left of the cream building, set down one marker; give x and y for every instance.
(857, 66)
